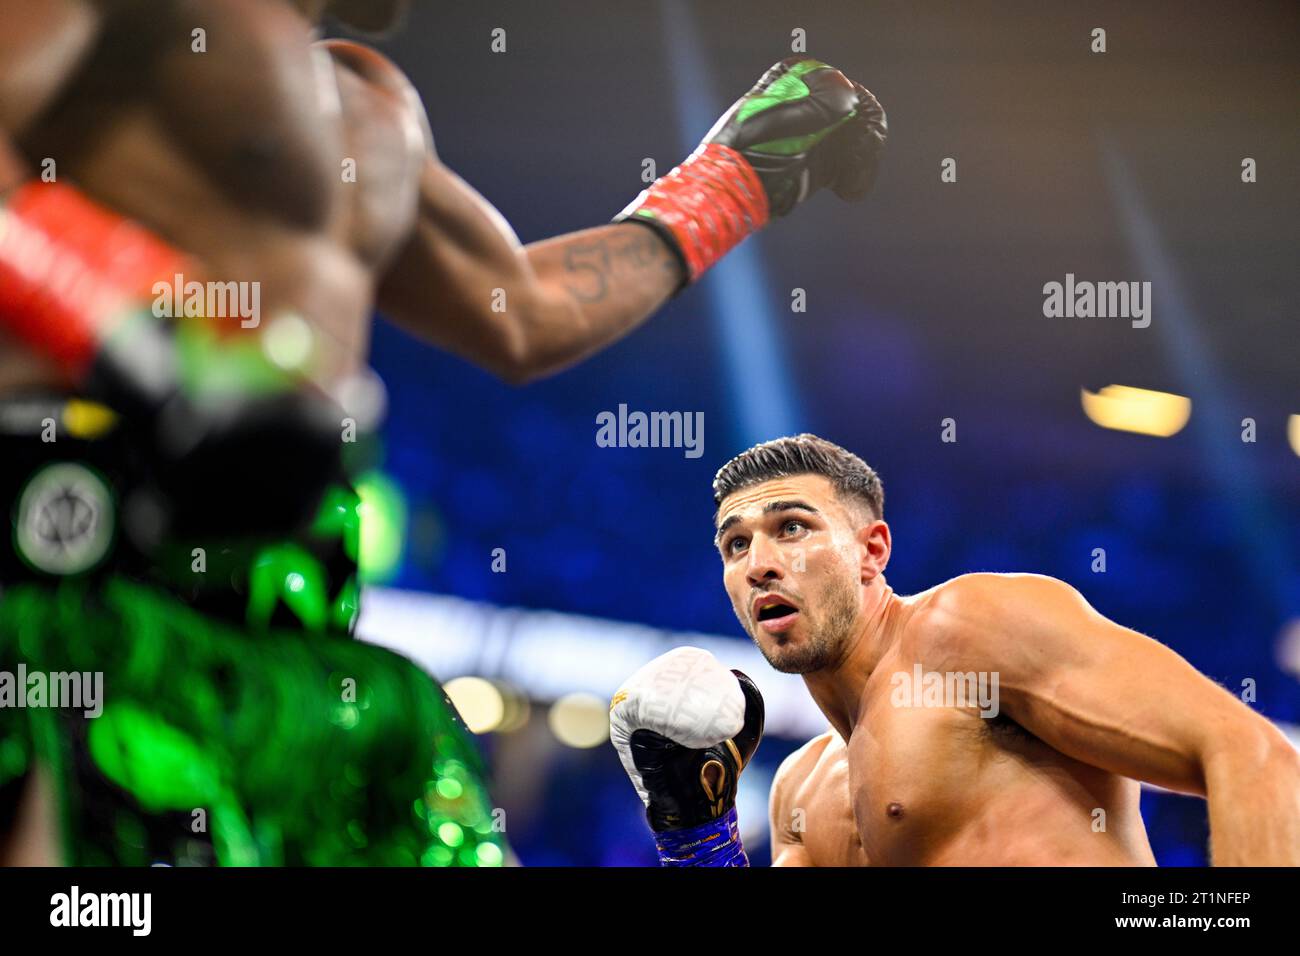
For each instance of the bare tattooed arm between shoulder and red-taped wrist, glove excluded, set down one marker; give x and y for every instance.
(466, 284)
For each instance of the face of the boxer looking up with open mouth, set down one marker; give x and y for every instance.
(792, 565)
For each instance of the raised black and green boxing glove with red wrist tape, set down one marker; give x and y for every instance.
(803, 128)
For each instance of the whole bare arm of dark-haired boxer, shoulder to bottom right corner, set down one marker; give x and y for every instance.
(1119, 700)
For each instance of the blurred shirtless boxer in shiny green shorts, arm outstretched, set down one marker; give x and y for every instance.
(239, 161)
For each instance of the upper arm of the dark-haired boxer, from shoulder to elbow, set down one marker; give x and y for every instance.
(1097, 691)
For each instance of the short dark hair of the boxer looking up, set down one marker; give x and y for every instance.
(803, 455)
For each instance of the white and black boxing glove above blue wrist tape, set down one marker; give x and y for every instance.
(684, 728)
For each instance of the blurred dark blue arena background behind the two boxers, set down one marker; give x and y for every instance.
(924, 304)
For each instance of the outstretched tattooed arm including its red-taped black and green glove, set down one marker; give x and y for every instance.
(465, 282)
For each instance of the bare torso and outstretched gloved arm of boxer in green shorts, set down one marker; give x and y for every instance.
(250, 149)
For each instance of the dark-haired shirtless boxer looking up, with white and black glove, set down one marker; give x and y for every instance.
(1042, 772)
